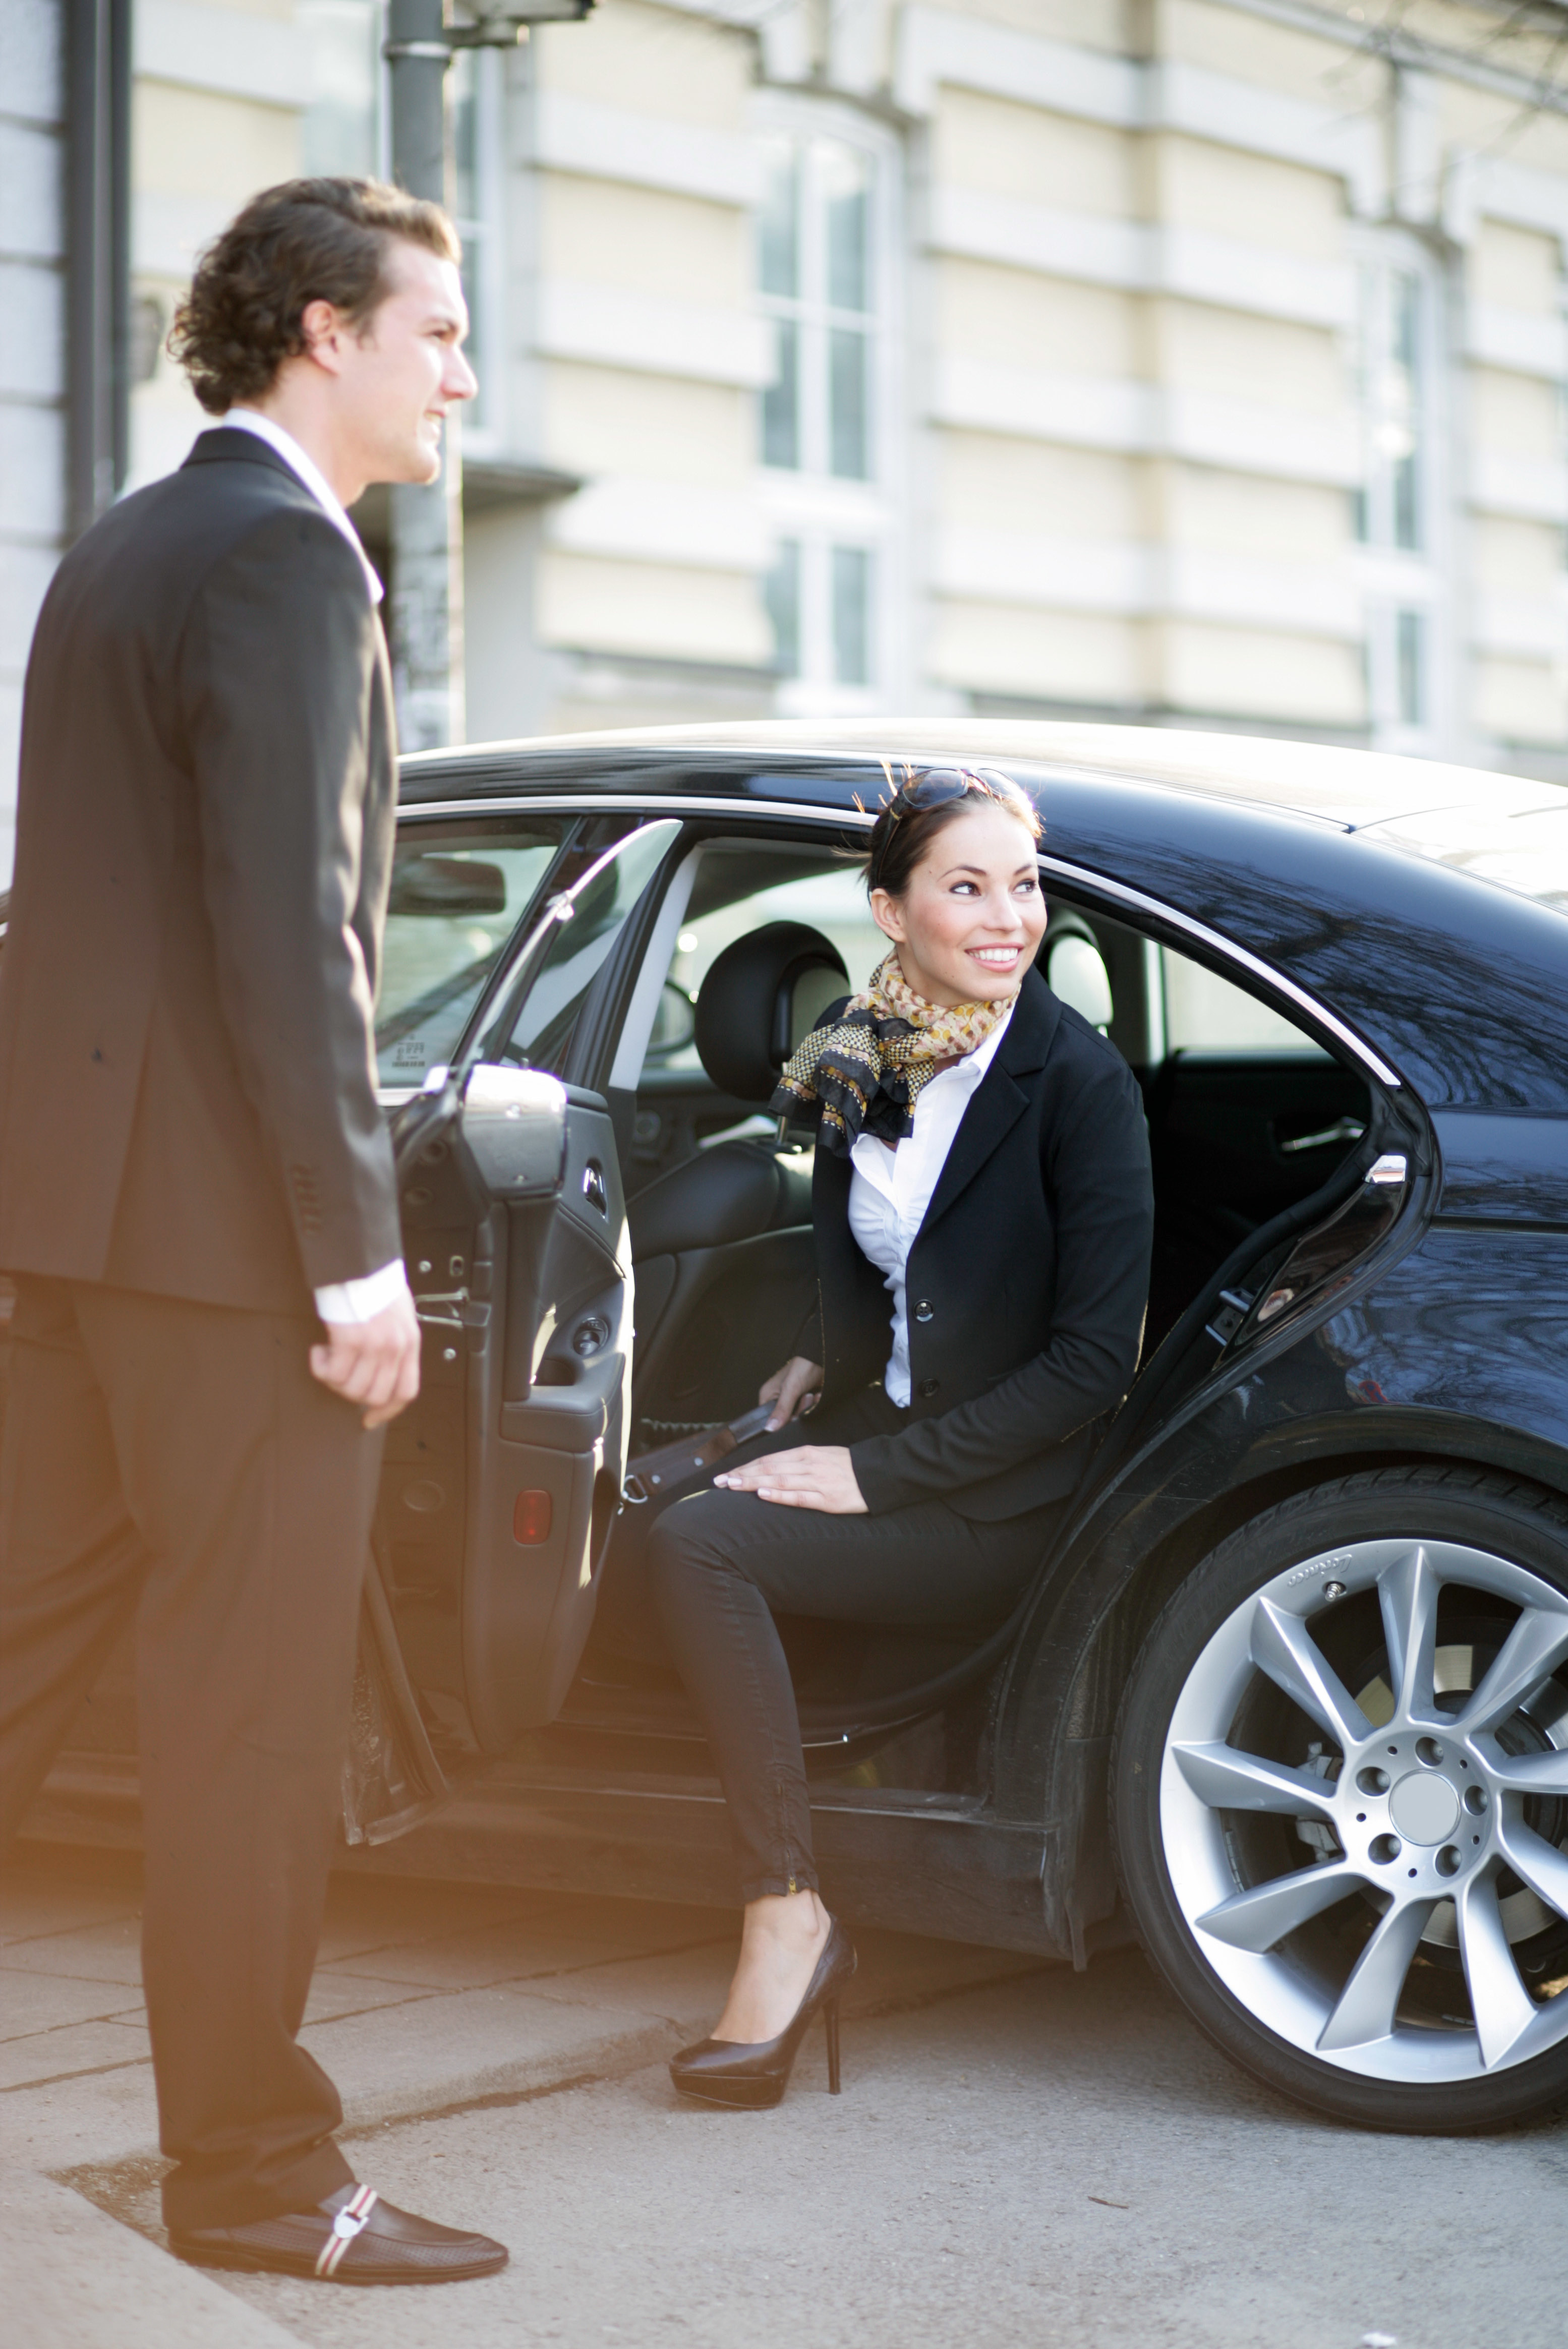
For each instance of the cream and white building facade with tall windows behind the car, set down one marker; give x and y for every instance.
(1167, 361)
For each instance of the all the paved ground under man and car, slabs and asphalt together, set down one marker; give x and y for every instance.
(1021, 2158)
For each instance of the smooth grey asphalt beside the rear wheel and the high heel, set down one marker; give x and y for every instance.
(1043, 2160)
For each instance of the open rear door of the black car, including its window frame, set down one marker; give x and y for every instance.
(502, 1481)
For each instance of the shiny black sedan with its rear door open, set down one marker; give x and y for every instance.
(1289, 1700)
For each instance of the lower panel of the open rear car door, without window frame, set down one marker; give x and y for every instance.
(514, 1455)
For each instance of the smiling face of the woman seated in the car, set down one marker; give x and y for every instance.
(972, 917)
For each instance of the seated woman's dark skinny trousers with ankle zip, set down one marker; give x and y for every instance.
(723, 1563)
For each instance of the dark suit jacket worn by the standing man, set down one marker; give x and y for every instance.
(203, 856)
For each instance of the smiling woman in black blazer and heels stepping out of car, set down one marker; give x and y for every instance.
(981, 1162)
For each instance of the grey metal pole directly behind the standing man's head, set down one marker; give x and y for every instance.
(427, 523)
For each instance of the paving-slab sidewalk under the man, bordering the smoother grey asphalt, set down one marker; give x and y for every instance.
(429, 2000)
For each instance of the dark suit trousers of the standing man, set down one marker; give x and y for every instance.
(180, 1467)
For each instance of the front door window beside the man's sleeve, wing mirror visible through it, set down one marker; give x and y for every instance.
(460, 891)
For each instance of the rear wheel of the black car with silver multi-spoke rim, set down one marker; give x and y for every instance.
(1419, 1876)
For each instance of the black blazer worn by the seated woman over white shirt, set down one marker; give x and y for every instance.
(1026, 1286)
